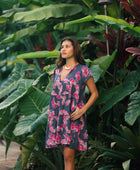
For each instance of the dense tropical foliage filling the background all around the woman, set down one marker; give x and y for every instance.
(30, 35)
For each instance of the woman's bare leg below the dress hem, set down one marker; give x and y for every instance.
(69, 155)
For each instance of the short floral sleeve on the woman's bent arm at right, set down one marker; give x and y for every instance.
(86, 74)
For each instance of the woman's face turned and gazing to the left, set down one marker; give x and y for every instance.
(67, 50)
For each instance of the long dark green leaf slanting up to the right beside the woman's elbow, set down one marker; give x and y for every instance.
(115, 94)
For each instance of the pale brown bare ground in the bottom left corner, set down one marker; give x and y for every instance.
(8, 163)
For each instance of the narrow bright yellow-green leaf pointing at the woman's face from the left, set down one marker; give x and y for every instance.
(40, 54)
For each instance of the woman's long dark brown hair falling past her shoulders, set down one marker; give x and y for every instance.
(77, 52)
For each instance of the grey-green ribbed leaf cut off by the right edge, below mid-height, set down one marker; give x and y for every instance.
(133, 111)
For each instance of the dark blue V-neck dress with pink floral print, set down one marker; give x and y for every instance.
(66, 96)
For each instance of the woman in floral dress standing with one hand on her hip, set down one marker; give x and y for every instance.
(66, 125)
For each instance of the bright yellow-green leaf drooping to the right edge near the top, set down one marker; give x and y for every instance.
(118, 24)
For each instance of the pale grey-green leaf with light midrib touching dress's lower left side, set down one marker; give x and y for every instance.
(30, 124)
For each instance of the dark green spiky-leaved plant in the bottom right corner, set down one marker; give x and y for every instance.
(124, 152)
